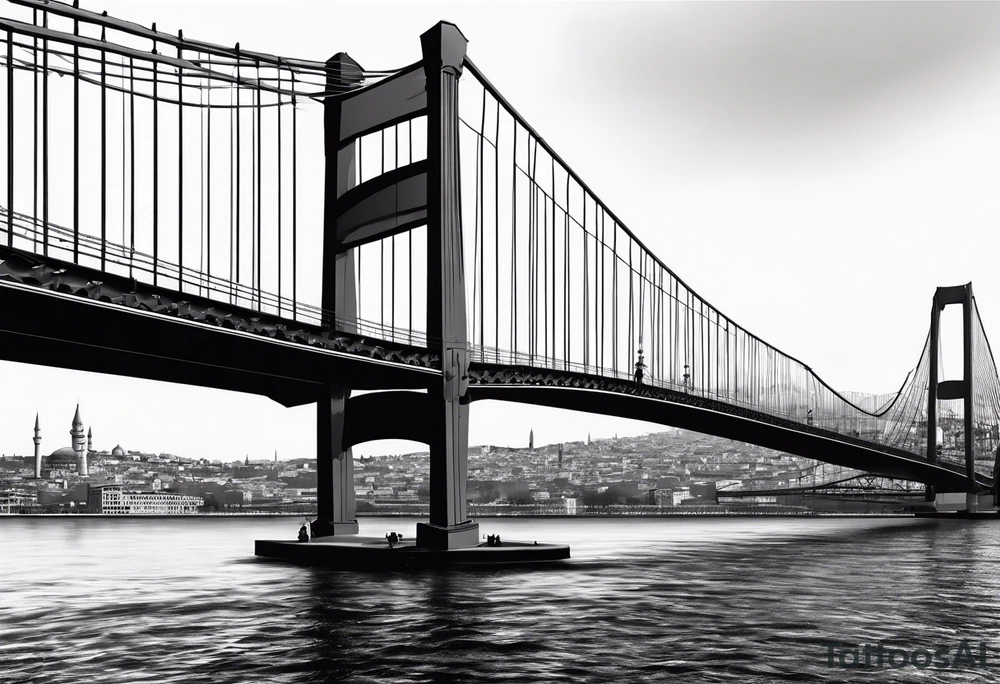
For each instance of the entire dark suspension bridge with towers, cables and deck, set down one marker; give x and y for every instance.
(179, 210)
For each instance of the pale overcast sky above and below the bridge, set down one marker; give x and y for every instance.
(814, 170)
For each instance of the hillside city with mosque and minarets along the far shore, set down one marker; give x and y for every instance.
(668, 472)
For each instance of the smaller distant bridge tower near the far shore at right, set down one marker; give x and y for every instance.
(953, 389)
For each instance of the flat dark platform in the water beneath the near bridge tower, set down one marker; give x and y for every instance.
(373, 553)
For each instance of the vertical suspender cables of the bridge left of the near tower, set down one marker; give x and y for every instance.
(187, 165)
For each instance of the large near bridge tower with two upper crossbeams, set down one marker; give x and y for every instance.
(421, 193)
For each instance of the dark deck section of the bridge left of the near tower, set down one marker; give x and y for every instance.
(57, 314)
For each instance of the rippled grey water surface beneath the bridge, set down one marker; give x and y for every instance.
(686, 600)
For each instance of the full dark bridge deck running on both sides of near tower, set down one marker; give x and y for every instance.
(129, 328)
